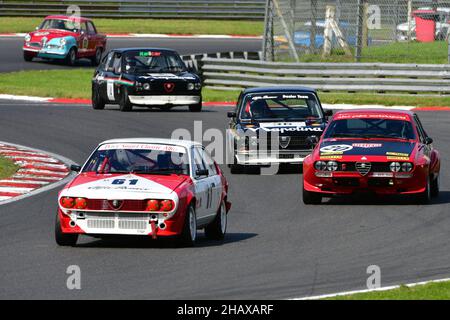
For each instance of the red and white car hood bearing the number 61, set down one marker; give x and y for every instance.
(122, 186)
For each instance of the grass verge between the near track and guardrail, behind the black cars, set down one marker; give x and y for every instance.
(77, 84)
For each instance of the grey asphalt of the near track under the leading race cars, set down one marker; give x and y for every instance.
(275, 247)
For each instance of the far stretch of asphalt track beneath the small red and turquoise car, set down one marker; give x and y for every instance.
(11, 49)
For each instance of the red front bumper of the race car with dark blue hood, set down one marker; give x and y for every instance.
(378, 183)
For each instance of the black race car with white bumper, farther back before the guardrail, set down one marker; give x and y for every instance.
(147, 77)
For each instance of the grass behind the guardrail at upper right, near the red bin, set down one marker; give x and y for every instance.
(400, 52)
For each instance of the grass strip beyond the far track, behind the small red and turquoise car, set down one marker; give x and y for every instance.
(175, 26)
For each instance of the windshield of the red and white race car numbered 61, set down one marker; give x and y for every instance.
(138, 158)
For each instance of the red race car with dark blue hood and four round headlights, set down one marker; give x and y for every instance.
(386, 152)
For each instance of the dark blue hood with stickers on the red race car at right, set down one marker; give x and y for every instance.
(365, 147)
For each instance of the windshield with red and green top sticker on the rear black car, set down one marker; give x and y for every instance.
(152, 61)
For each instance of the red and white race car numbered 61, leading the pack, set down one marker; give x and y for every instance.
(144, 187)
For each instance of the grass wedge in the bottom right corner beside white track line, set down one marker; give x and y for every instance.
(431, 291)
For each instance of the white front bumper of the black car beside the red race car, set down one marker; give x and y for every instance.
(267, 158)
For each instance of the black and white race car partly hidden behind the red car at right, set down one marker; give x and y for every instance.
(274, 125)
